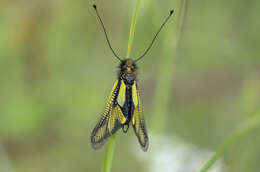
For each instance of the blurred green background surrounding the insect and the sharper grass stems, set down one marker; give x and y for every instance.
(199, 83)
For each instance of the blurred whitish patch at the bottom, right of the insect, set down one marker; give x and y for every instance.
(173, 154)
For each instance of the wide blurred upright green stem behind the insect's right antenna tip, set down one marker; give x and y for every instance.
(163, 91)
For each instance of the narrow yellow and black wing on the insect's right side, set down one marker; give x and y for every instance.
(138, 121)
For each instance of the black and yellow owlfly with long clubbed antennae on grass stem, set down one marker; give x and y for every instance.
(123, 107)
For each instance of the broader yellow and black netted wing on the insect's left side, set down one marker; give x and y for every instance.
(111, 120)
